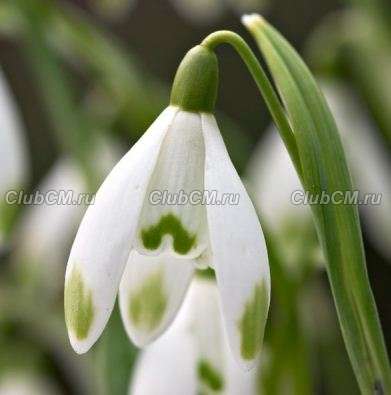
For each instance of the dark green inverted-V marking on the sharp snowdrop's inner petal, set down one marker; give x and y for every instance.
(171, 225)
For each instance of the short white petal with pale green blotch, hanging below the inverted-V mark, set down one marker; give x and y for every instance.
(151, 292)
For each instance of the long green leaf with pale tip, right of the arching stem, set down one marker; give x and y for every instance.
(324, 168)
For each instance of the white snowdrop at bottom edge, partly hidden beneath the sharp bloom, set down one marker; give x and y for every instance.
(195, 345)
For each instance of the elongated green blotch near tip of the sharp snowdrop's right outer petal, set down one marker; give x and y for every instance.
(252, 323)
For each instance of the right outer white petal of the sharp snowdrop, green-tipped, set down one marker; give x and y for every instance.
(239, 252)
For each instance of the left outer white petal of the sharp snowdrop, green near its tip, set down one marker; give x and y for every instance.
(104, 239)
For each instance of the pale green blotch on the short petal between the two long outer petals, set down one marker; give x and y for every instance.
(148, 304)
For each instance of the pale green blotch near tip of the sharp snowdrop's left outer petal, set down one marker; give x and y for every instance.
(79, 310)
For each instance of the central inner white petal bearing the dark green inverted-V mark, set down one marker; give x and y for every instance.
(179, 227)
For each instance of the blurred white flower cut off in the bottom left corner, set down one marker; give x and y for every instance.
(26, 383)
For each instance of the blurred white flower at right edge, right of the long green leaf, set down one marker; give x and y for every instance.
(369, 161)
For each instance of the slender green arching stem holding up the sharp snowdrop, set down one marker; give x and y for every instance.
(266, 88)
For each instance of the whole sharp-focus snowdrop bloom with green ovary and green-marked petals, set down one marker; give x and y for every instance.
(154, 248)
